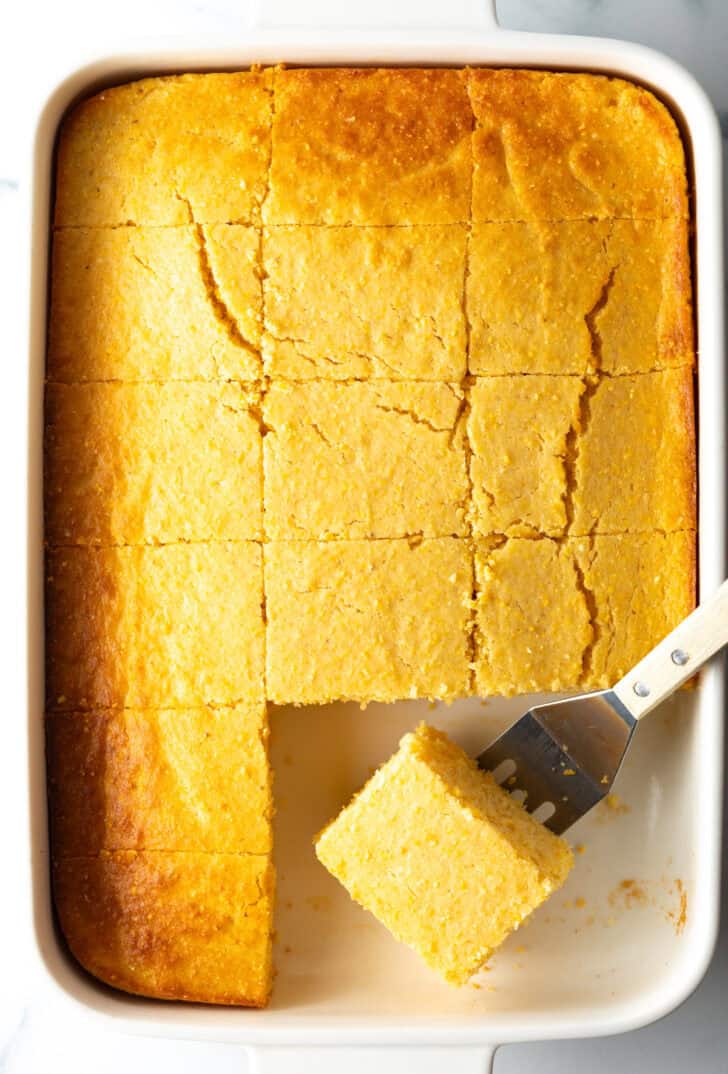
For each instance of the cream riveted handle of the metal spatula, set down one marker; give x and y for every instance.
(678, 657)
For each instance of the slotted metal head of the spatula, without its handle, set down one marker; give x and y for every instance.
(566, 753)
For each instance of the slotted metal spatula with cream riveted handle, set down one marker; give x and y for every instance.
(566, 754)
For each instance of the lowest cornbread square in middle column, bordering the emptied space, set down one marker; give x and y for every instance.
(368, 620)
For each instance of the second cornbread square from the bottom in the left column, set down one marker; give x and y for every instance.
(159, 780)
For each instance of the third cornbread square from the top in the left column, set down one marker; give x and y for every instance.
(115, 473)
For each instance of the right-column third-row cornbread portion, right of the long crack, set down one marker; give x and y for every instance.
(635, 469)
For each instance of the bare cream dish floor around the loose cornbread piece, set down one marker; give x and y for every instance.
(625, 896)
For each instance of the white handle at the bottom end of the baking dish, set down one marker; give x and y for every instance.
(381, 1061)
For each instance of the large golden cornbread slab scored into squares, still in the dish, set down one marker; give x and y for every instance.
(361, 385)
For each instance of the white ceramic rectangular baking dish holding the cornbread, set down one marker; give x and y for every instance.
(344, 982)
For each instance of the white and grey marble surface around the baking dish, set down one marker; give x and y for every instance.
(41, 40)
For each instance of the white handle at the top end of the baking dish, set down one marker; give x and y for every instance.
(375, 14)
